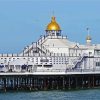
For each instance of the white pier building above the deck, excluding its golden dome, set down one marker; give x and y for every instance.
(53, 54)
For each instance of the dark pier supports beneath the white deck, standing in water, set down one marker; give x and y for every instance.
(48, 82)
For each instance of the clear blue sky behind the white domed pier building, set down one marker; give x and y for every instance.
(23, 21)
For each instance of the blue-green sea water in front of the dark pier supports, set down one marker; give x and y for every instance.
(91, 94)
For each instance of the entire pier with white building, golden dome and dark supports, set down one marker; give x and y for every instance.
(53, 62)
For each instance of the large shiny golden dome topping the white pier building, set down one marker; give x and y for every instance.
(53, 26)
